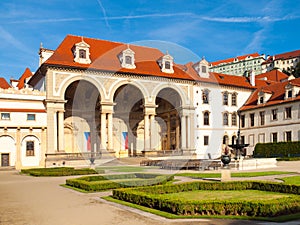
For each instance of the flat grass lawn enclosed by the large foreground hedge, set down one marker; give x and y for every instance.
(246, 195)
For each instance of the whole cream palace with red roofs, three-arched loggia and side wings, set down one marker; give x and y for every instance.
(92, 97)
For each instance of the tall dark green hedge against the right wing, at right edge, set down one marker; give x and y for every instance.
(279, 149)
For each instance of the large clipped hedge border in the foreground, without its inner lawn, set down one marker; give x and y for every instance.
(153, 197)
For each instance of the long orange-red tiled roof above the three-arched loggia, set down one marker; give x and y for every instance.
(104, 56)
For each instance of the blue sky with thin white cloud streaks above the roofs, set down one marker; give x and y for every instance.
(216, 29)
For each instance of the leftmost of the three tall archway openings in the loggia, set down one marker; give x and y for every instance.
(82, 118)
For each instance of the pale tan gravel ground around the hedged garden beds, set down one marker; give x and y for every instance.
(29, 200)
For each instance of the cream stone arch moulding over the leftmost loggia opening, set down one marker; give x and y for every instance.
(67, 82)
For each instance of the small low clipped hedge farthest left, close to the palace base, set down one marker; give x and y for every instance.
(58, 171)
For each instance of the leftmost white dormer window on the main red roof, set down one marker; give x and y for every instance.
(81, 53)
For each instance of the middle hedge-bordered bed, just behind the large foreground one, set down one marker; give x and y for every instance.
(101, 183)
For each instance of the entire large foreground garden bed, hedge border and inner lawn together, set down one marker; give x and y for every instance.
(178, 198)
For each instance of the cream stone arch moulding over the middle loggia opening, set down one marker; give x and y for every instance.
(116, 85)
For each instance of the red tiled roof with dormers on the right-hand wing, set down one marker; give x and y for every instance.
(278, 93)
